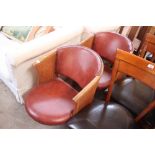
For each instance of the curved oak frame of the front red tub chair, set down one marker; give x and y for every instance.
(47, 70)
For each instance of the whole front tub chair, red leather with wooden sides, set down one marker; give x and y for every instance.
(54, 101)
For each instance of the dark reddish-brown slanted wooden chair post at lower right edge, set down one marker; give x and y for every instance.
(150, 107)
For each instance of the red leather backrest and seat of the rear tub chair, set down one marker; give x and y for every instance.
(105, 44)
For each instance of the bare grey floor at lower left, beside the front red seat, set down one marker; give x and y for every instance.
(13, 114)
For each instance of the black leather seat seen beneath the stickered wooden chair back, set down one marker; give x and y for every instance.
(133, 94)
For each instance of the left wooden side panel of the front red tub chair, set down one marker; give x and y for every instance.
(45, 68)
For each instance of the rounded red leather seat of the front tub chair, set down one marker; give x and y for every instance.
(51, 103)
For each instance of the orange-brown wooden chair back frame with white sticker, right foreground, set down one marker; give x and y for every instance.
(136, 67)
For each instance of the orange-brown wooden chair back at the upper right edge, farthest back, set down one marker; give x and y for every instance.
(148, 45)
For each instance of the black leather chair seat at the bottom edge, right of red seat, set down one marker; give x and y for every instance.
(101, 116)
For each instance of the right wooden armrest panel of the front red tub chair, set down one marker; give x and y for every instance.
(86, 95)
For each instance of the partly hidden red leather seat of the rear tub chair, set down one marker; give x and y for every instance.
(105, 78)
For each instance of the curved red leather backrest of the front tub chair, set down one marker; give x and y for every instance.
(79, 63)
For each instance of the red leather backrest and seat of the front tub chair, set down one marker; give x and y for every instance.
(51, 103)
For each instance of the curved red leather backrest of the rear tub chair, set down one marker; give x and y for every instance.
(106, 43)
